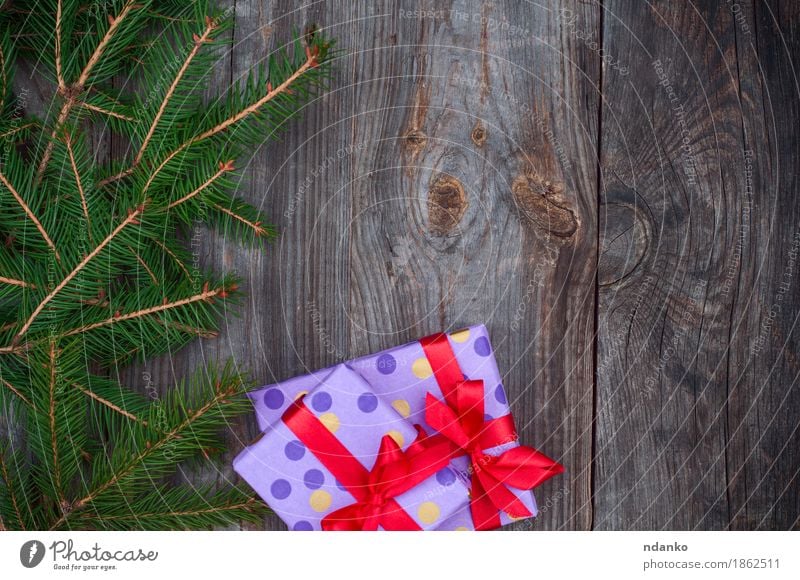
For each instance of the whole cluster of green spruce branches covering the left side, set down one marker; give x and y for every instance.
(96, 454)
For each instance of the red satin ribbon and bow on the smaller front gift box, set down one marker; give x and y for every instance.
(393, 473)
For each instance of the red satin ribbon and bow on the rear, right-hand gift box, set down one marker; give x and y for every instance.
(461, 422)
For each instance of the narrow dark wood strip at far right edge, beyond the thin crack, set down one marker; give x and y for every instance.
(763, 454)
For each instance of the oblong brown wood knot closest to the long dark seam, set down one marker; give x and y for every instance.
(540, 201)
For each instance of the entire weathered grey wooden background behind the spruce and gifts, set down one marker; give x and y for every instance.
(611, 187)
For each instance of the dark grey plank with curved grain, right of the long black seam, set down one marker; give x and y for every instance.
(688, 263)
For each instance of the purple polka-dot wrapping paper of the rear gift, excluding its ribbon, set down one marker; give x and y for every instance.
(401, 376)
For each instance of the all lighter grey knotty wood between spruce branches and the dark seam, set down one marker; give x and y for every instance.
(449, 179)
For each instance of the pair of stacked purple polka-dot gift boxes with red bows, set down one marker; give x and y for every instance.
(419, 436)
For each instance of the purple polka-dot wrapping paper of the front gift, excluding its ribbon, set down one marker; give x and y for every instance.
(302, 491)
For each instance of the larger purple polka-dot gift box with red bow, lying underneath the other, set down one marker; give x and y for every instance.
(412, 378)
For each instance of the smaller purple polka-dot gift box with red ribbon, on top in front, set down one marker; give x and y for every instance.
(337, 448)
